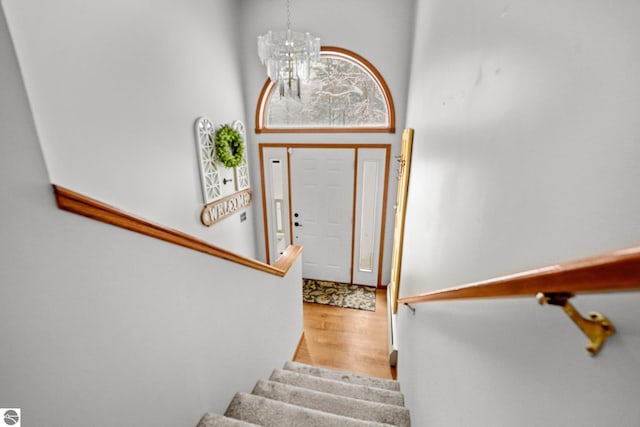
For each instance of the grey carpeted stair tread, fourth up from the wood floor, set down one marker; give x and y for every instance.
(272, 413)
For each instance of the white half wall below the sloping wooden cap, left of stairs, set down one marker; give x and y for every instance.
(102, 327)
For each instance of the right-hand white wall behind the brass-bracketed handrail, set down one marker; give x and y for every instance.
(525, 154)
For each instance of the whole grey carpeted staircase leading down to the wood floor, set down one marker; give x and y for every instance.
(303, 395)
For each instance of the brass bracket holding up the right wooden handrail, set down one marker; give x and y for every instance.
(597, 327)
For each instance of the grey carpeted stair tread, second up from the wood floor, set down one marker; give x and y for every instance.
(341, 388)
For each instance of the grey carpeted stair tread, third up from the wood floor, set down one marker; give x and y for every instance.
(338, 405)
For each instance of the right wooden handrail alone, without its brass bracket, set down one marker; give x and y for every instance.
(616, 271)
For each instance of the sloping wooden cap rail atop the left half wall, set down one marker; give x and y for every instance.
(82, 205)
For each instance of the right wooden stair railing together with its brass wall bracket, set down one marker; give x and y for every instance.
(617, 271)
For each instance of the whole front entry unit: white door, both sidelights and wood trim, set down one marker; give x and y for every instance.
(322, 178)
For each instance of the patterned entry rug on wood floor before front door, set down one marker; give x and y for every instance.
(339, 294)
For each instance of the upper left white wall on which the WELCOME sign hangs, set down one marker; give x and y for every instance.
(115, 88)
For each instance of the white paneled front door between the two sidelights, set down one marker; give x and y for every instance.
(322, 203)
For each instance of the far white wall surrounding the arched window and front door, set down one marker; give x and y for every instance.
(378, 30)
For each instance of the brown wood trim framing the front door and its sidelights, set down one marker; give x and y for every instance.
(353, 146)
